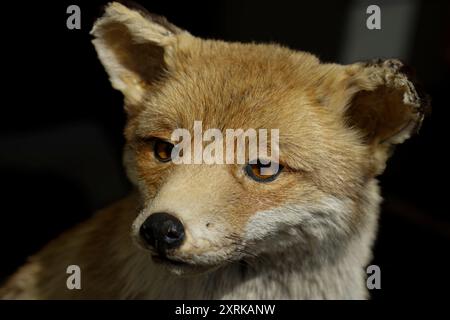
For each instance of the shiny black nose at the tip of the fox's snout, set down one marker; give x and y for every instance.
(162, 231)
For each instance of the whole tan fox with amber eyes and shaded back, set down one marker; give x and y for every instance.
(226, 231)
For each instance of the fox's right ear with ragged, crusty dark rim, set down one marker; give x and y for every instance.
(381, 100)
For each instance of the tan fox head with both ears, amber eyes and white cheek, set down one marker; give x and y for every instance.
(337, 126)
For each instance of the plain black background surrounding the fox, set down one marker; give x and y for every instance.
(61, 122)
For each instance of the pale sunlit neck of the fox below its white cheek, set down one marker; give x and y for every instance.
(294, 275)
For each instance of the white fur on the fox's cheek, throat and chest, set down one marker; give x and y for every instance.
(302, 253)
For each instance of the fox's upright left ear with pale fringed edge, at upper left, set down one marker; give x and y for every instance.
(135, 48)
